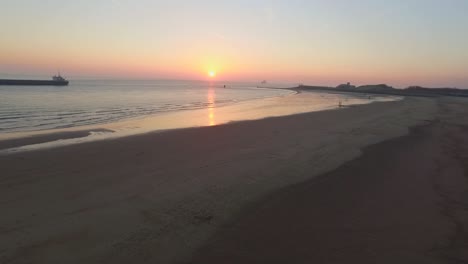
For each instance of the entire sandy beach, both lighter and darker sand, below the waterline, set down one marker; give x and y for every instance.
(199, 195)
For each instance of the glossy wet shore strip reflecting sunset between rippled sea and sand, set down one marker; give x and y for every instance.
(42, 139)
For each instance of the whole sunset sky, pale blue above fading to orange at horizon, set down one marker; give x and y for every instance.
(322, 42)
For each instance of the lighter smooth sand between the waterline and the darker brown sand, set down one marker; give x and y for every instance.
(155, 198)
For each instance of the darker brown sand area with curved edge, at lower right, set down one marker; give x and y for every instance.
(403, 201)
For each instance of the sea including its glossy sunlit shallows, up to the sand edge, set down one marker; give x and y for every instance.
(124, 107)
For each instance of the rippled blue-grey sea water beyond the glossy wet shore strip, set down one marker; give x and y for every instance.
(33, 108)
